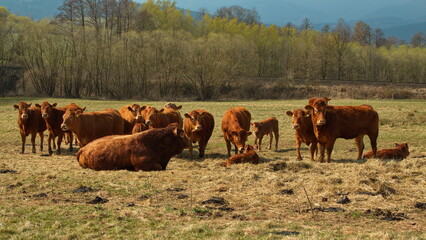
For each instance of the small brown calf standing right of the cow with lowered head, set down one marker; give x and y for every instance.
(266, 127)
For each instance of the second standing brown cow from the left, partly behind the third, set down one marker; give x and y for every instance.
(53, 117)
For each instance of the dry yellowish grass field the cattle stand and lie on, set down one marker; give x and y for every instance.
(48, 197)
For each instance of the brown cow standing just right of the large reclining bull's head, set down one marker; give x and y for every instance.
(198, 126)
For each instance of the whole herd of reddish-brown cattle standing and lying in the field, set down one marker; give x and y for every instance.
(143, 138)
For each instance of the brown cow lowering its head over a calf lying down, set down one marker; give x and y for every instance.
(235, 128)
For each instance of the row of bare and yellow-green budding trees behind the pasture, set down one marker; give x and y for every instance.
(121, 49)
